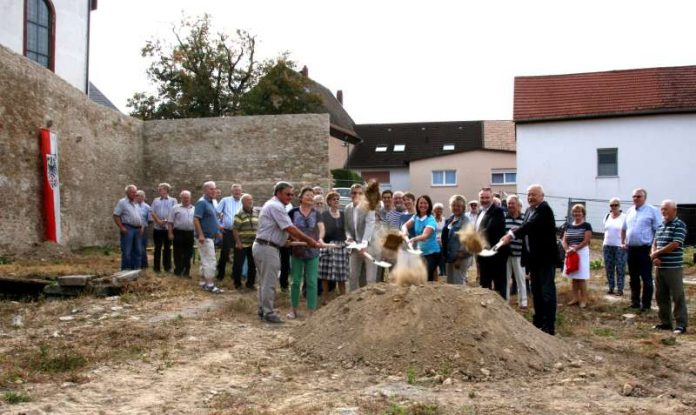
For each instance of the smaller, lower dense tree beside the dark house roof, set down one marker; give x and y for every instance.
(280, 90)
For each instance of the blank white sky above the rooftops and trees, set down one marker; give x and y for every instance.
(410, 61)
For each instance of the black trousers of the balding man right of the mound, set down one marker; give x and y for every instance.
(544, 295)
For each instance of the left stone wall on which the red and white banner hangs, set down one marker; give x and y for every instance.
(98, 154)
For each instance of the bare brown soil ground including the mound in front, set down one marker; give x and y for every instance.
(168, 347)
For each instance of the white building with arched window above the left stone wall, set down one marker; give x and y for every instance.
(53, 33)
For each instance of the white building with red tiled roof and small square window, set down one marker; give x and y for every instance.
(590, 137)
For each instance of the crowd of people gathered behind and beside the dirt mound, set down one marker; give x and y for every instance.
(316, 246)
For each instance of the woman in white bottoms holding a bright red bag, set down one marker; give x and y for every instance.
(576, 241)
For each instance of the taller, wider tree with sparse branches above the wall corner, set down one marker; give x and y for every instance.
(201, 75)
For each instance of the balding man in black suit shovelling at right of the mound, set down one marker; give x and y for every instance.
(539, 256)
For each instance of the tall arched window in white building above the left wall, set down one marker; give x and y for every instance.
(39, 35)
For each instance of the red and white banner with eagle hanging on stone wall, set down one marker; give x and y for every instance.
(51, 191)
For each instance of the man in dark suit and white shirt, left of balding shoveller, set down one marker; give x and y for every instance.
(491, 224)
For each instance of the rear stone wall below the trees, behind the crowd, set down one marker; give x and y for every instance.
(255, 151)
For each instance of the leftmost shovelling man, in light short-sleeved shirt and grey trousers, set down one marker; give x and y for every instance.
(272, 234)
